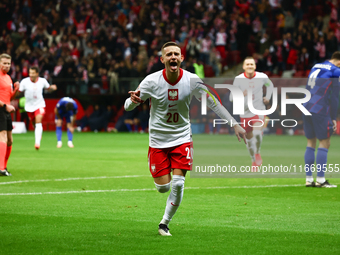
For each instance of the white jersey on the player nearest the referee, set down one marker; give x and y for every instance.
(33, 93)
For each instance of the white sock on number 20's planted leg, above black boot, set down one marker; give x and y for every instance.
(174, 199)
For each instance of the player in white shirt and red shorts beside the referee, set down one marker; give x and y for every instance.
(35, 104)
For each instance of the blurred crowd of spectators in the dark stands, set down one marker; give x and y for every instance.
(97, 46)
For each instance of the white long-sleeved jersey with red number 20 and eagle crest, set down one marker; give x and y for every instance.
(169, 123)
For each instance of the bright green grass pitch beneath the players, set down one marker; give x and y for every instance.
(118, 220)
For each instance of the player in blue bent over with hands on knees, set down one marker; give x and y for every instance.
(66, 108)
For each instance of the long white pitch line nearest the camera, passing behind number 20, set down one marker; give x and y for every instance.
(149, 189)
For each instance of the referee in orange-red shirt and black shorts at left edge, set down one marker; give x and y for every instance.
(6, 94)
